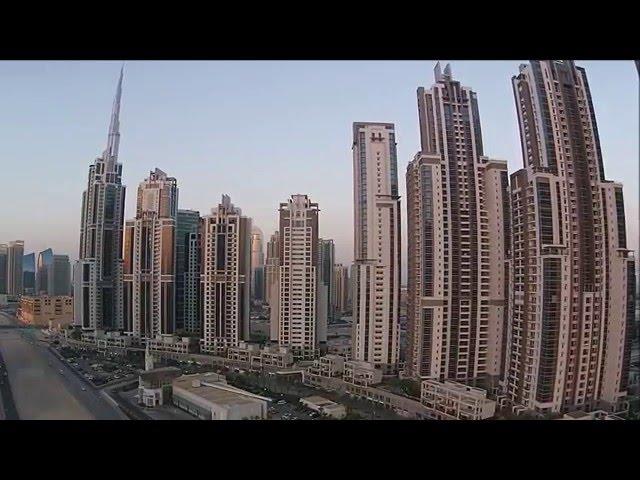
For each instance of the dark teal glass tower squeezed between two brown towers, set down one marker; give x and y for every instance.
(188, 272)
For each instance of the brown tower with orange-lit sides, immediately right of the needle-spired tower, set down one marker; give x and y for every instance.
(150, 258)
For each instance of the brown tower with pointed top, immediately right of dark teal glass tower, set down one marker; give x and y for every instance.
(226, 277)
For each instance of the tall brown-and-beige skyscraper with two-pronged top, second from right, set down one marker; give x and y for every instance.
(458, 237)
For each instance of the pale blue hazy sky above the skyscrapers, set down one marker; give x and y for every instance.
(258, 131)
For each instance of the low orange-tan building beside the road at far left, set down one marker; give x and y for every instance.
(45, 310)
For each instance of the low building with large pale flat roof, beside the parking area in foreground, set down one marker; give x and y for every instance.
(208, 397)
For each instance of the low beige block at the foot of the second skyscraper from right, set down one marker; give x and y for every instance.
(451, 400)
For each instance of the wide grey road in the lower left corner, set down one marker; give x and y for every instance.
(40, 391)
